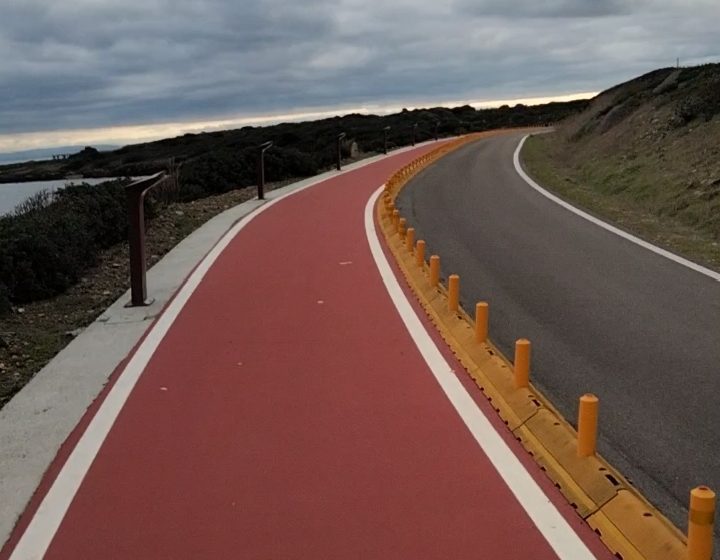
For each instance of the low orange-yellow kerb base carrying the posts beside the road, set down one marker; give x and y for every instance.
(626, 521)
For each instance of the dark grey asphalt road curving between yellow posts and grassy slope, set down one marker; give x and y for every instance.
(604, 315)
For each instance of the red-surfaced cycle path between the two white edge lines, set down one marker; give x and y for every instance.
(288, 414)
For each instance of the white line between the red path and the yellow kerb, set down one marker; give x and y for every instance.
(551, 524)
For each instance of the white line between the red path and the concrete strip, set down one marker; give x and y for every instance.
(42, 528)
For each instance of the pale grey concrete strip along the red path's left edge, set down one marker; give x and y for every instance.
(40, 417)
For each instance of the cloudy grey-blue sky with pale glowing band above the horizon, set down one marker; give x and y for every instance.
(117, 71)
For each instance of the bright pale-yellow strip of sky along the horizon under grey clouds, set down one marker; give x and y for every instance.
(27, 142)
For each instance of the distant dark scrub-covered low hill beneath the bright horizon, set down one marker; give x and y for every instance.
(218, 161)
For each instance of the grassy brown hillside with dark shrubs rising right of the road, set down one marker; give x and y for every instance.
(645, 155)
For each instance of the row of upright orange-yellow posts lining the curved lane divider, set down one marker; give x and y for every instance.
(701, 515)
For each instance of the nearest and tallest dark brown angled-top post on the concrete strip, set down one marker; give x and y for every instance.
(135, 197)
